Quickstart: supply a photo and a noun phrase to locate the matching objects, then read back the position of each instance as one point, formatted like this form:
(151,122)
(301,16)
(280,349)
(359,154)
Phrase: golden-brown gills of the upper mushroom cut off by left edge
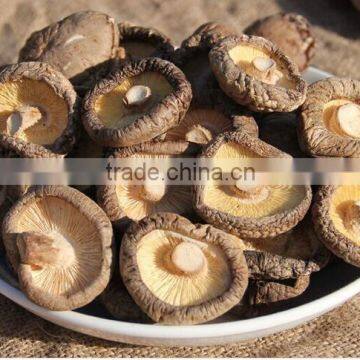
(14,95)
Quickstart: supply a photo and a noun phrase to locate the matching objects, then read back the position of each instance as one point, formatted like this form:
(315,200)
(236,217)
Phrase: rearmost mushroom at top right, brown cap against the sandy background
(291,32)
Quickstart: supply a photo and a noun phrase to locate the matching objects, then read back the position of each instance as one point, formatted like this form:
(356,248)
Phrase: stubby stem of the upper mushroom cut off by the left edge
(22,119)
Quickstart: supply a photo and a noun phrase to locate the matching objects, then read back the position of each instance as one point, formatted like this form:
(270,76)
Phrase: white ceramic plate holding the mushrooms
(329,288)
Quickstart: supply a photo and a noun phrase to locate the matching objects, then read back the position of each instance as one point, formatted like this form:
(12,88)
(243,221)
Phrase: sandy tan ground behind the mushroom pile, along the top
(336,22)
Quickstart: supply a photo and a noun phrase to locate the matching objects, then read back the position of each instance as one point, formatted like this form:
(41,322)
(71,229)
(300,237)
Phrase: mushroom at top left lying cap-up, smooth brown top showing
(77,45)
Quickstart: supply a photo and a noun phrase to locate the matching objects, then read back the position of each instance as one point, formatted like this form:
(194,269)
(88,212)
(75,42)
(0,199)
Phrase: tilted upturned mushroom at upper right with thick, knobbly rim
(256,73)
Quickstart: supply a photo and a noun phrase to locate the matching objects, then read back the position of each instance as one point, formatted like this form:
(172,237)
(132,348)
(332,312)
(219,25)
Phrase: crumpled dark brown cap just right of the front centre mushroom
(298,252)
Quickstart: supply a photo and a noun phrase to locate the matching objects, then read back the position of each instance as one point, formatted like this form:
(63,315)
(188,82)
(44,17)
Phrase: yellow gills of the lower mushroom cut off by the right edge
(344,214)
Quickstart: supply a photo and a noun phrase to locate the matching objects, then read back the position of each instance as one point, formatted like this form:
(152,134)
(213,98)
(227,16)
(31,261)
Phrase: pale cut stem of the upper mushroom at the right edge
(348,119)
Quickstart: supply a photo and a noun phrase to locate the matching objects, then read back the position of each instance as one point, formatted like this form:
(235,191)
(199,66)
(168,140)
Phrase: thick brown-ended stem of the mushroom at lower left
(40,250)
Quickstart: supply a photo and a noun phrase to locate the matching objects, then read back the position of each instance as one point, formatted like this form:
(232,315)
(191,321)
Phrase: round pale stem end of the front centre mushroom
(188,257)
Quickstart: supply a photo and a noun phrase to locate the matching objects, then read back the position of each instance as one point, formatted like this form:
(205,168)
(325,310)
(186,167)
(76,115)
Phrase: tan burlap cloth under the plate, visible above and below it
(337,26)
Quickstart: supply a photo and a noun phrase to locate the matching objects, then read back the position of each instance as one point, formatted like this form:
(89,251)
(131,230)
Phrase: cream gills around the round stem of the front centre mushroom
(174,288)
